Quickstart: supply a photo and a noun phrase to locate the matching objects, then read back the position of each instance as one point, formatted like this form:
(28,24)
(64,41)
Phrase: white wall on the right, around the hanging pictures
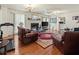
(69,22)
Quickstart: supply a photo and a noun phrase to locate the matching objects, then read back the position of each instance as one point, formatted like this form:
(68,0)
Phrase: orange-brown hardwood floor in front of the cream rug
(35,49)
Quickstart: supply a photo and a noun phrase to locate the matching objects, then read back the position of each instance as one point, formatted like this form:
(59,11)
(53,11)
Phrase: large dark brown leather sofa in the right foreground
(69,45)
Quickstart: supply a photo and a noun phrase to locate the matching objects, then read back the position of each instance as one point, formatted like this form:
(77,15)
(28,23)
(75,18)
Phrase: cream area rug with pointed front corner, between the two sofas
(44,43)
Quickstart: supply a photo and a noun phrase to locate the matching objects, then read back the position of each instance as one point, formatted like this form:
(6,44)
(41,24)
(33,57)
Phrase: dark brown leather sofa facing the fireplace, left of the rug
(26,36)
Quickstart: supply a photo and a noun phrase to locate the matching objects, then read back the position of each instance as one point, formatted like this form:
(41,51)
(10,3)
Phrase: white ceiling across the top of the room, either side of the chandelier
(45,8)
